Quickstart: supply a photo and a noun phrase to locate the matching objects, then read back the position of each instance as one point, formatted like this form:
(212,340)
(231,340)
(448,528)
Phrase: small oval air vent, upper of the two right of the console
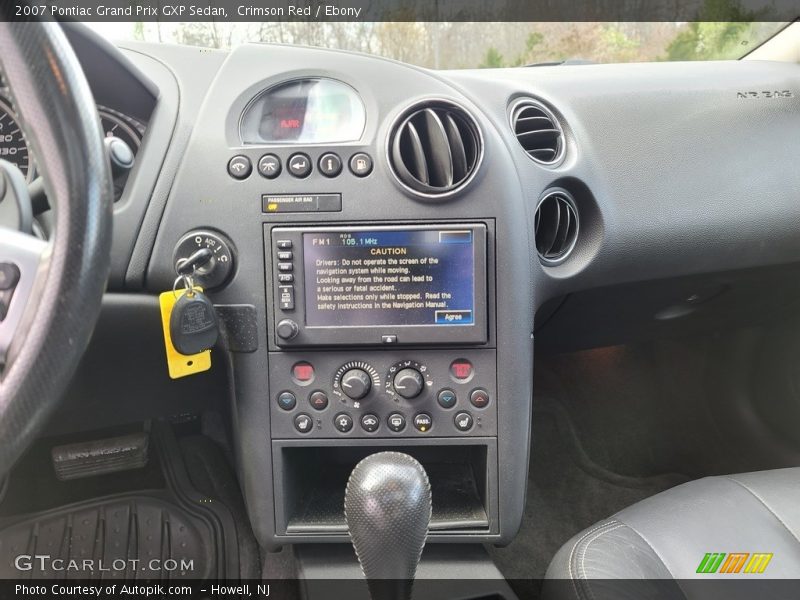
(538,131)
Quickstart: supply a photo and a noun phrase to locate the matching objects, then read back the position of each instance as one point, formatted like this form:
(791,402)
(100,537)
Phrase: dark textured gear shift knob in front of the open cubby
(387,505)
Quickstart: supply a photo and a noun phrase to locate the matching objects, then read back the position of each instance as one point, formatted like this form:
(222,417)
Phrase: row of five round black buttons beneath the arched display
(299,165)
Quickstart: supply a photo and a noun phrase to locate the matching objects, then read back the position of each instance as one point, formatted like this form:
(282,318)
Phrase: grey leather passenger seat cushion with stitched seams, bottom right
(669,535)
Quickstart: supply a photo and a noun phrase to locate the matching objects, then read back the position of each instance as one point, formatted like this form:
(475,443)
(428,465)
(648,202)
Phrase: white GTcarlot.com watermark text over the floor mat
(44,562)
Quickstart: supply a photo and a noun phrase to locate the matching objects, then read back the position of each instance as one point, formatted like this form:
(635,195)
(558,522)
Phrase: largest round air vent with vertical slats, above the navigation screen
(435,149)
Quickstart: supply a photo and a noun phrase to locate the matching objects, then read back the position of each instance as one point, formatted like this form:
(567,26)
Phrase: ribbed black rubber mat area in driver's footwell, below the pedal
(134,537)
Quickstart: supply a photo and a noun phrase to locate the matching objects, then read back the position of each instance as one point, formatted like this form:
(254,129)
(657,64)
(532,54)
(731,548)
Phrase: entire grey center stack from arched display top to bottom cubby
(376,297)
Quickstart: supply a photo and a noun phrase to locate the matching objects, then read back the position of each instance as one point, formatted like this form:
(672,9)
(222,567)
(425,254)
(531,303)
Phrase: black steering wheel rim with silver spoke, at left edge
(53,299)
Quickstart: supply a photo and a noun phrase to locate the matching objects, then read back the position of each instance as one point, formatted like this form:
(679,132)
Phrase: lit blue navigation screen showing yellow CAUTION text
(397,277)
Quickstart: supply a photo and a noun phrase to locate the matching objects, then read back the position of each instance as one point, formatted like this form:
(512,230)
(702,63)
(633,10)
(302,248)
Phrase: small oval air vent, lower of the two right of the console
(556,227)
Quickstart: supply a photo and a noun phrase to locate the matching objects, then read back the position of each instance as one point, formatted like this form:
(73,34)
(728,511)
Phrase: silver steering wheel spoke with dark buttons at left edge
(22,258)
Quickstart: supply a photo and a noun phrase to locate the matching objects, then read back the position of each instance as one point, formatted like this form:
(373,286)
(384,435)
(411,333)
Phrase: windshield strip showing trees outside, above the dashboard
(471,45)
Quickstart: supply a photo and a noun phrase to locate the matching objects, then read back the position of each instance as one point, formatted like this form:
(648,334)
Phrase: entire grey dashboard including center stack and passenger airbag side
(391,243)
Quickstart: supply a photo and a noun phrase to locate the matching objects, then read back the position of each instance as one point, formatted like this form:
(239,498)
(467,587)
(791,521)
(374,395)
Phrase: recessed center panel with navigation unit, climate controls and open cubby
(379,334)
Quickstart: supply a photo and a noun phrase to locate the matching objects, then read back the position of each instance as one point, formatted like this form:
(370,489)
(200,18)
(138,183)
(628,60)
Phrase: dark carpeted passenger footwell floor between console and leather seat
(611,427)
